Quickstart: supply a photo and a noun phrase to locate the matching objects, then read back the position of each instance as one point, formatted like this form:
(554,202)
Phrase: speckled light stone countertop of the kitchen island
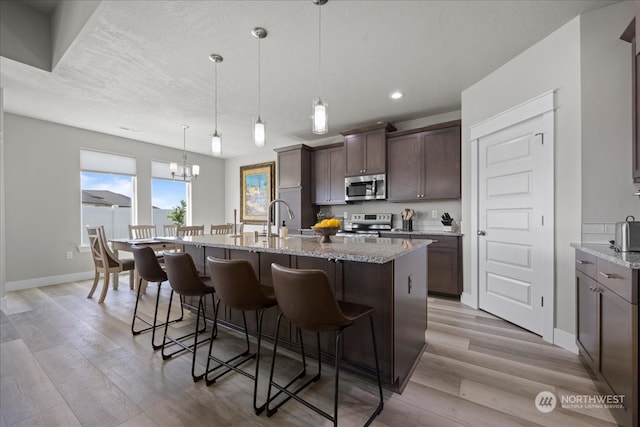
(378,250)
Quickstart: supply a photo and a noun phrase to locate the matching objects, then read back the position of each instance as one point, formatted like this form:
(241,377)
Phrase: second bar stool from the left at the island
(184,280)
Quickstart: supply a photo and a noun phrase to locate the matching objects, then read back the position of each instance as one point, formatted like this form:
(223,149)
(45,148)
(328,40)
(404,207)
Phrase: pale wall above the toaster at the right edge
(607,186)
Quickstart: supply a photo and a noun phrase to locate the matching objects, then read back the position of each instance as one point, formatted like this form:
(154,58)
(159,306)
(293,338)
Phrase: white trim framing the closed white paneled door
(540,105)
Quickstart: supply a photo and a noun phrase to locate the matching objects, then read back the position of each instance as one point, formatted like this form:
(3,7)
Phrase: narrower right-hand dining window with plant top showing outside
(167,194)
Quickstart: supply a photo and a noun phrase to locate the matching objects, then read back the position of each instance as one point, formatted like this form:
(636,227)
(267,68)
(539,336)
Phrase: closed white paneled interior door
(515,222)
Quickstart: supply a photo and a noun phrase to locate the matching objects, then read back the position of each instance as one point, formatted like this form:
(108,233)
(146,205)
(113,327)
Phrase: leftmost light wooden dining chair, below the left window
(106,262)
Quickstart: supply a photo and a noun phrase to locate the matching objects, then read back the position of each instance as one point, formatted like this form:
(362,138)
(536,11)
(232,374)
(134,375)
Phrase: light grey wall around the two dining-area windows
(42,170)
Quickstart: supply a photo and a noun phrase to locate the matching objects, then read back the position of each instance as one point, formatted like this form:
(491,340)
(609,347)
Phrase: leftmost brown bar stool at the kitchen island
(149,269)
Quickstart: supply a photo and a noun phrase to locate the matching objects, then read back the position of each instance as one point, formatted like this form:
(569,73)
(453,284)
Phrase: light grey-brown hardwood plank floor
(67,361)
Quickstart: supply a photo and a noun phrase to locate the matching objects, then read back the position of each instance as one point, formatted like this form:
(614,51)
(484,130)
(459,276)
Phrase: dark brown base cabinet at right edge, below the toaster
(607,329)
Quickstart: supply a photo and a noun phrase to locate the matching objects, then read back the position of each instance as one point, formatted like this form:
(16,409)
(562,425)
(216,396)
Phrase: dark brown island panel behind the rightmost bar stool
(370,284)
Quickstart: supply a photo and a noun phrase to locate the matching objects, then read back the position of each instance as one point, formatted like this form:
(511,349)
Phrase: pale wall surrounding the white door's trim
(551,64)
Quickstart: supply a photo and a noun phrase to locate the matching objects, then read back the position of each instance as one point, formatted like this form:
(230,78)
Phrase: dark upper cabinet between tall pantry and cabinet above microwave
(328,175)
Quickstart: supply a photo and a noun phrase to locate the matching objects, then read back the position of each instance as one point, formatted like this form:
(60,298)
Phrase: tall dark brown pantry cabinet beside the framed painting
(294,187)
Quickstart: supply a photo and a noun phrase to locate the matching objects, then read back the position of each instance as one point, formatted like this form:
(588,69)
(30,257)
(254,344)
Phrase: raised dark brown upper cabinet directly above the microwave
(365,151)
